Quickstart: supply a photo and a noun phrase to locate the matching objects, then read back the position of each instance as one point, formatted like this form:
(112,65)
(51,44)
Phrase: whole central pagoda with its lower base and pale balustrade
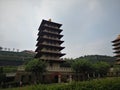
(49,49)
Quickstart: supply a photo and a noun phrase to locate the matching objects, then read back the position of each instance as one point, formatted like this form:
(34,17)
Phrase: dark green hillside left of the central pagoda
(9,58)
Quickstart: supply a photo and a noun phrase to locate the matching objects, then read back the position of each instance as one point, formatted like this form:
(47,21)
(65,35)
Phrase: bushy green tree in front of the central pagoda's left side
(37,67)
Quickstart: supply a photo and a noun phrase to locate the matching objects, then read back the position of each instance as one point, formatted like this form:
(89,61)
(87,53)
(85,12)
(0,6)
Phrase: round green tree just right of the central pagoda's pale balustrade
(82,66)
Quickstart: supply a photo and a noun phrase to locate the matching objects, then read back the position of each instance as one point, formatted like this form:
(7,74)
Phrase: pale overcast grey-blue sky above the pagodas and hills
(89,26)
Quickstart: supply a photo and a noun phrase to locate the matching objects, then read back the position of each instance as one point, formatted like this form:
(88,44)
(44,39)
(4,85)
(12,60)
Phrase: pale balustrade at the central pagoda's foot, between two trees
(60,69)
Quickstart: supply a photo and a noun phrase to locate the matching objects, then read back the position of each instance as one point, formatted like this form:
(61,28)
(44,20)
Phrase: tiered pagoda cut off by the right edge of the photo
(116,44)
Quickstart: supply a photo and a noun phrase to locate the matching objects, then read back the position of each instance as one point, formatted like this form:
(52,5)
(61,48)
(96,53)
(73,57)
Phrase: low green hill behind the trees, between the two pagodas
(91,58)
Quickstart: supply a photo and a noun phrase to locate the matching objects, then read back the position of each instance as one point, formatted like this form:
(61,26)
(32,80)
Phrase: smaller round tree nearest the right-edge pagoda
(101,68)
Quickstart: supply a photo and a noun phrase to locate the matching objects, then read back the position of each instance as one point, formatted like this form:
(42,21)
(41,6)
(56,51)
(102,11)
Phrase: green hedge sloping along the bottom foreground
(97,84)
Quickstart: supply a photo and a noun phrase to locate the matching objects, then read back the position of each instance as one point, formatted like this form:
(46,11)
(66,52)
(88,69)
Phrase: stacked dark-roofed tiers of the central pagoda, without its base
(48,45)
